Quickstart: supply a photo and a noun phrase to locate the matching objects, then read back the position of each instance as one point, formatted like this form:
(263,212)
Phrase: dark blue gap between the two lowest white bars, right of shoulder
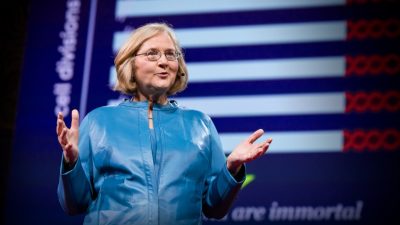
(307,122)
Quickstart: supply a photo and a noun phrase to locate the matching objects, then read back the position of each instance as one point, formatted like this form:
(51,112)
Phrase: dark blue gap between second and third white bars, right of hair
(314,49)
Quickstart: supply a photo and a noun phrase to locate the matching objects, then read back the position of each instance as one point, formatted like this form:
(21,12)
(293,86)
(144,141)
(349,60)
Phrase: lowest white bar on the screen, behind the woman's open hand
(291,142)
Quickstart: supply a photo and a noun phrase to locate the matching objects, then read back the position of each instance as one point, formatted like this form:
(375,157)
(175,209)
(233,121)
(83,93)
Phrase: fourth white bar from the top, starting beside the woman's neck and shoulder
(280,104)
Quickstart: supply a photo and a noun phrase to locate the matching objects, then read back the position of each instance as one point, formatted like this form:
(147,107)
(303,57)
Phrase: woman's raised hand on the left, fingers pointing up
(68,137)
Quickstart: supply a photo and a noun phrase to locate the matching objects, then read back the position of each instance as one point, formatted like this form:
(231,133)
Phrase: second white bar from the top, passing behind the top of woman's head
(253,34)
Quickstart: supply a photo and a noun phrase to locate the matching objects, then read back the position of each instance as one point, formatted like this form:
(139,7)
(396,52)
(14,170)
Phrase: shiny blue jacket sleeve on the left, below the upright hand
(75,186)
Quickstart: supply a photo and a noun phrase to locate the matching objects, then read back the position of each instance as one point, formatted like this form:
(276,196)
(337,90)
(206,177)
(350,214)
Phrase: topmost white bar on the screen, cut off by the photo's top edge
(175,7)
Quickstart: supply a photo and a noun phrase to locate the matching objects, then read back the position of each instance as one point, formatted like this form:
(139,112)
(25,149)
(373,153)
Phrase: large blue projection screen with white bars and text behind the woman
(320,77)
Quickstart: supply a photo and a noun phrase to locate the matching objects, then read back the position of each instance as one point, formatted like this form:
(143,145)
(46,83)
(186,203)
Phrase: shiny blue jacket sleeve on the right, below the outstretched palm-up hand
(221,187)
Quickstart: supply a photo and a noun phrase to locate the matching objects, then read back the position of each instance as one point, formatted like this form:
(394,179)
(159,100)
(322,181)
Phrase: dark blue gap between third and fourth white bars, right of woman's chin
(314,85)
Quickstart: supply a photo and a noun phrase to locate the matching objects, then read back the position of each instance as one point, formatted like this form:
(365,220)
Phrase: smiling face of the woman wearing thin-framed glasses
(155,78)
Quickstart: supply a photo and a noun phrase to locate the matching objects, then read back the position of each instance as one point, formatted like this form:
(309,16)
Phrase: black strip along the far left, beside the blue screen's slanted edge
(14,19)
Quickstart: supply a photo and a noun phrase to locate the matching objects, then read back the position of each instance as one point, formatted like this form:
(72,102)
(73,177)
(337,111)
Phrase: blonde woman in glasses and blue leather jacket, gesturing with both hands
(147,160)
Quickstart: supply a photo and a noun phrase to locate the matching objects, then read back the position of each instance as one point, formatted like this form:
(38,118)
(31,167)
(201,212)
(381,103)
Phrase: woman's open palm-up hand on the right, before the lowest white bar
(247,151)
